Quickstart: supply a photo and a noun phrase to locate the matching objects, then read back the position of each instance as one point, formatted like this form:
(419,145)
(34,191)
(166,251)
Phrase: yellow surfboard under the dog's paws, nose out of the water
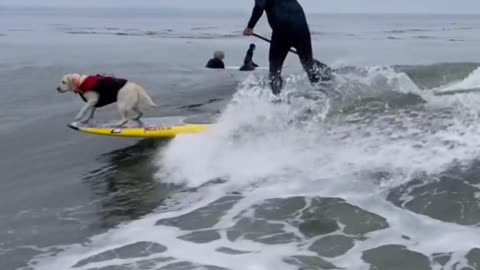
(147,128)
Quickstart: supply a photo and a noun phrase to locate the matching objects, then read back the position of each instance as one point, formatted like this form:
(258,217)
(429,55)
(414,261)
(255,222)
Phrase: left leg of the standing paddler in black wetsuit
(277,54)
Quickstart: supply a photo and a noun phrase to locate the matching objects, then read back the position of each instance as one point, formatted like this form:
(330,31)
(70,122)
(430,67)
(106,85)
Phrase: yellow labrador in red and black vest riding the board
(99,90)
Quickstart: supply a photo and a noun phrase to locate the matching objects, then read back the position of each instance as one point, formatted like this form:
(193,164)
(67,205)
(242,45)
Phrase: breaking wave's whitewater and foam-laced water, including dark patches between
(380,175)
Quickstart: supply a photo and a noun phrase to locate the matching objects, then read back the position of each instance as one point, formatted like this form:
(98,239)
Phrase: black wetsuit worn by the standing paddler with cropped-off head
(289,29)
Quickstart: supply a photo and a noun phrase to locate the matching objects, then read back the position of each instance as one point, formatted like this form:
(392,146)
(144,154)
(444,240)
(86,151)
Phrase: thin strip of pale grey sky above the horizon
(363,6)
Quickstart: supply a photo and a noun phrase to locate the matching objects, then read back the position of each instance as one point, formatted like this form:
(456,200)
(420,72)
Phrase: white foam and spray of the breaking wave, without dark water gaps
(277,150)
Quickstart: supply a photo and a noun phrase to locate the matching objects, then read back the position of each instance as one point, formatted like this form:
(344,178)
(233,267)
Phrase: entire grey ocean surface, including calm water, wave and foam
(381,175)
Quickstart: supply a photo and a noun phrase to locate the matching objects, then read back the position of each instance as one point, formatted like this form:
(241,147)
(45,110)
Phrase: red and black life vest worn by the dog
(106,87)
